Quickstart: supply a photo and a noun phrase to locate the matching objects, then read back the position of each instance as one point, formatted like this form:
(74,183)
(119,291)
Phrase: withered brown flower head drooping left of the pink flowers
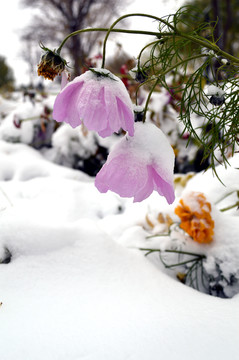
(51,64)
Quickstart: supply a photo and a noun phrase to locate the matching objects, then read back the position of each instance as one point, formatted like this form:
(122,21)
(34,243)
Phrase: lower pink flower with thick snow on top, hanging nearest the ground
(136,166)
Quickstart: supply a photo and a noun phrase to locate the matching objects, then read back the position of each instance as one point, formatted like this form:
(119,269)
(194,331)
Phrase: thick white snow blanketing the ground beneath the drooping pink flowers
(73,282)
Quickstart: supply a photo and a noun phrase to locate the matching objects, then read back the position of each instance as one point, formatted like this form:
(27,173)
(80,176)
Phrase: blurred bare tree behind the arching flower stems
(54,19)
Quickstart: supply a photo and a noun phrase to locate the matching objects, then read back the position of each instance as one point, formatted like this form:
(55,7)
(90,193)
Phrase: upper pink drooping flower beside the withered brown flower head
(98,99)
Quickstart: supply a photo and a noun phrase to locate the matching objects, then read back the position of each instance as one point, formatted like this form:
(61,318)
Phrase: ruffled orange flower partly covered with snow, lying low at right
(196,217)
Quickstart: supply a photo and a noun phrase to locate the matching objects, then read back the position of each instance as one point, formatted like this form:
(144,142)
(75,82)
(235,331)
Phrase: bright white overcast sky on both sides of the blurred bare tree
(13,19)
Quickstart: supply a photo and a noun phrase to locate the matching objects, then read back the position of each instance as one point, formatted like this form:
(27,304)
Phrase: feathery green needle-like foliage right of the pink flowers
(185,60)
